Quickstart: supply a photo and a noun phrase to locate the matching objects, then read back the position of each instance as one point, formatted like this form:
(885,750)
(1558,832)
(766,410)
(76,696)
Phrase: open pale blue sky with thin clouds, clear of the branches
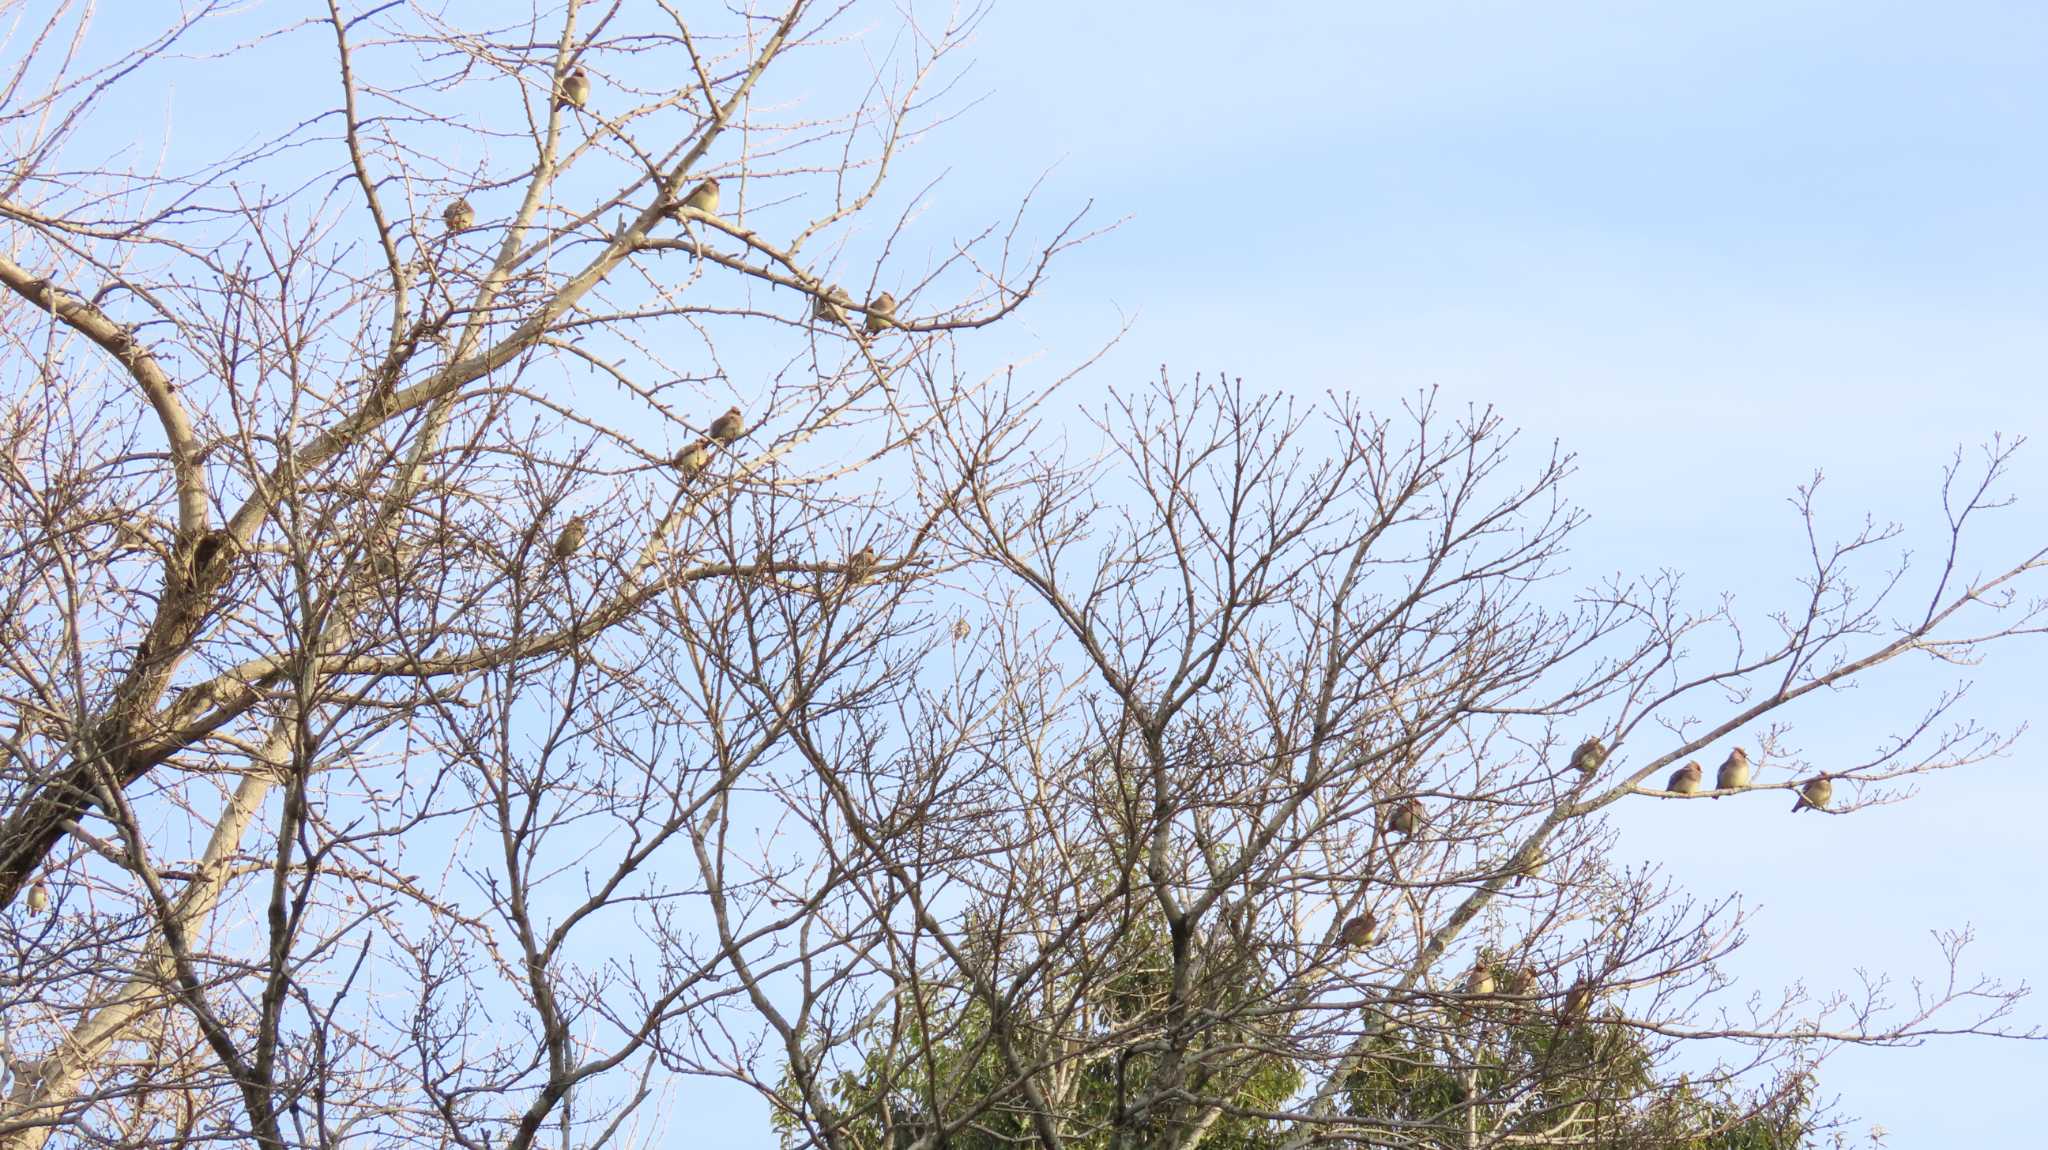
(1709,251)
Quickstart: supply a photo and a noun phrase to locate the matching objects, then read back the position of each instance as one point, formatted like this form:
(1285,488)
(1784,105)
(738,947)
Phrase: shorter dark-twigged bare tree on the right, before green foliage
(1283,807)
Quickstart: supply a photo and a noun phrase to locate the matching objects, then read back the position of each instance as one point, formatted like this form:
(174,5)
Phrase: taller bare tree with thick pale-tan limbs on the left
(368,500)
